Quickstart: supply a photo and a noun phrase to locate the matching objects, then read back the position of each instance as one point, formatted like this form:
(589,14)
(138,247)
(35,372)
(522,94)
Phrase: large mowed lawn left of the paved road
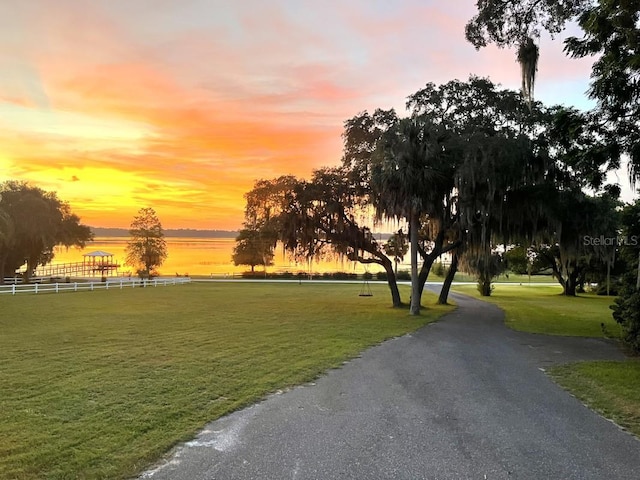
(101,384)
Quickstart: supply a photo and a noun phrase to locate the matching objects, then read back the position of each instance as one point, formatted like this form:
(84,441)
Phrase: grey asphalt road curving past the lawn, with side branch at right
(465,398)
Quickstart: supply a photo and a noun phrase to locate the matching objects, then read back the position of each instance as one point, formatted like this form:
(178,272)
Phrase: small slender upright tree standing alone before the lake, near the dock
(147,248)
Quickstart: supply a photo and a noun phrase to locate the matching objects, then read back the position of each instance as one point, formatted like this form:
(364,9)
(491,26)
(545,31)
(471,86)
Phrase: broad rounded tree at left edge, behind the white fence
(32,223)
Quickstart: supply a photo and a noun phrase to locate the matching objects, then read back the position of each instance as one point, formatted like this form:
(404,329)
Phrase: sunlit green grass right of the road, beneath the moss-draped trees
(543,309)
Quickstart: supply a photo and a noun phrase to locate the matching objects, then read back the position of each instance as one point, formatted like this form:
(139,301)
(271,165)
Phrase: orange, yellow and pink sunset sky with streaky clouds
(182,104)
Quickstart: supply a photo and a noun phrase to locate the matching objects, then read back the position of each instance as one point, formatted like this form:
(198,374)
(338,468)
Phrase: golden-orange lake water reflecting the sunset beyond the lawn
(204,256)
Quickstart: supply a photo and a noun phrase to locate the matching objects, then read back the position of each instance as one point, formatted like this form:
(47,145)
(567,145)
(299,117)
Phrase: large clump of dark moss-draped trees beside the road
(472,167)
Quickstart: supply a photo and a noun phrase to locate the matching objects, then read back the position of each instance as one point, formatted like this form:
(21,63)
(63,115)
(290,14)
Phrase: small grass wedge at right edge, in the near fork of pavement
(610,388)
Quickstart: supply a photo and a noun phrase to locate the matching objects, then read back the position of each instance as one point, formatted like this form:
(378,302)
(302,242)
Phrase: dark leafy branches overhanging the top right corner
(611,33)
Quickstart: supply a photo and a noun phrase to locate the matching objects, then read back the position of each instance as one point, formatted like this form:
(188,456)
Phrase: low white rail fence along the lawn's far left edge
(111,283)
